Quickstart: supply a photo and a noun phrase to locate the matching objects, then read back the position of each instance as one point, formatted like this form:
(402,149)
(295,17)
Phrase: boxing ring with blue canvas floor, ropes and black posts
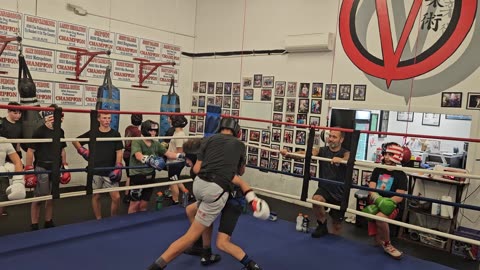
(133,241)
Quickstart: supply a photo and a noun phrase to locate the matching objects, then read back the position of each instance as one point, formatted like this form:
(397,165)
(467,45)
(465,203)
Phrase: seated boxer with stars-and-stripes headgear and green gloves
(385,205)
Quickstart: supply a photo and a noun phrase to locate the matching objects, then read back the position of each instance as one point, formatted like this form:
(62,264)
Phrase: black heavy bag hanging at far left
(31,120)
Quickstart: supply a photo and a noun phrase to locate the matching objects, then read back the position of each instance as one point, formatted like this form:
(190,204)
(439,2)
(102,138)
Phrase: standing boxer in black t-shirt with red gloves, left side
(39,159)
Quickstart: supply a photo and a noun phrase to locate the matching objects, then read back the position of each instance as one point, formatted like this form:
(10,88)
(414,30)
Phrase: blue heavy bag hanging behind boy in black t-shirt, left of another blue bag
(108,98)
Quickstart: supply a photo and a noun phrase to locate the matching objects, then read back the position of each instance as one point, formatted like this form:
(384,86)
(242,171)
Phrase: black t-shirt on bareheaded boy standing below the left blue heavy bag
(106,151)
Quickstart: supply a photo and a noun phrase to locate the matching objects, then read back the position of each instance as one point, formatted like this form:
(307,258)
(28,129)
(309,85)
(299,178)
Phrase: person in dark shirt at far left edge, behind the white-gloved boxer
(11,128)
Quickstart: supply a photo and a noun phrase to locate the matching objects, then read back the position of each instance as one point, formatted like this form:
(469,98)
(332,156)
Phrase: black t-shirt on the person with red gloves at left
(43,151)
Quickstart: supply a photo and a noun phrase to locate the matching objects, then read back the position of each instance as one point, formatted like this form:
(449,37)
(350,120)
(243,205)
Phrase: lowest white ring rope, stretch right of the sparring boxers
(387,220)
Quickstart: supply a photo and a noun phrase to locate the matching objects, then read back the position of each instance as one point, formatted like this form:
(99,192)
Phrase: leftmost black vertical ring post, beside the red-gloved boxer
(57,153)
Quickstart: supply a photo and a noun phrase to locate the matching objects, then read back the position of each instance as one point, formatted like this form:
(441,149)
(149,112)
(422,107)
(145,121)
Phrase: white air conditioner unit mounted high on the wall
(318,42)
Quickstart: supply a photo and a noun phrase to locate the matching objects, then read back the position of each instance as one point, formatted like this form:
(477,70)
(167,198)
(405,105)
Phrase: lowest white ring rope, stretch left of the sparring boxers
(95,191)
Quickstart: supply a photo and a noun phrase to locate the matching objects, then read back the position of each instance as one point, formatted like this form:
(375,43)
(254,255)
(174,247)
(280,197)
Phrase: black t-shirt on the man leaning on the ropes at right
(330,171)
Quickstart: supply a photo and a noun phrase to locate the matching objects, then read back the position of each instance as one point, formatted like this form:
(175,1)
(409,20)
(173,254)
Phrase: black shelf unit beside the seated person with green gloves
(415,216)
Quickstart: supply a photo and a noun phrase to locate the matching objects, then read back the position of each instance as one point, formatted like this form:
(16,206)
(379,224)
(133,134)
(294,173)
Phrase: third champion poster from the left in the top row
(72,35)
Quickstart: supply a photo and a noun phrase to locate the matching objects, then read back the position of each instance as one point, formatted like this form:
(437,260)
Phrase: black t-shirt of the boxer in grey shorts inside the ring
(221,155)
